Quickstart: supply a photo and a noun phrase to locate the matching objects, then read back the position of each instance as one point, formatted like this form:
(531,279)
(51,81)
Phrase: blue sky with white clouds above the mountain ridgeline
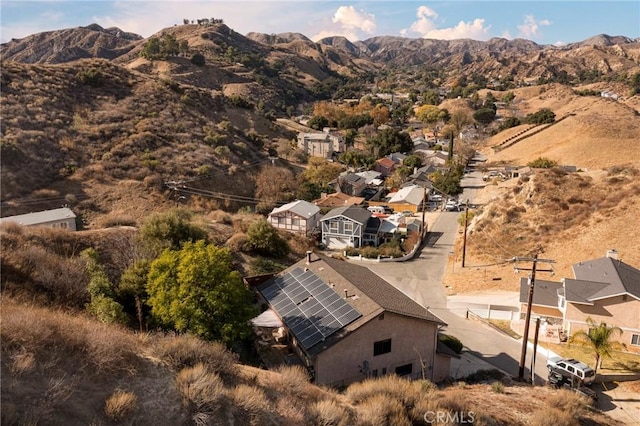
(545,22)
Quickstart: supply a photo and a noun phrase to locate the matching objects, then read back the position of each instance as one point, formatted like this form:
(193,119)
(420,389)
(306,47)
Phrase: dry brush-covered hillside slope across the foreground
(62,368)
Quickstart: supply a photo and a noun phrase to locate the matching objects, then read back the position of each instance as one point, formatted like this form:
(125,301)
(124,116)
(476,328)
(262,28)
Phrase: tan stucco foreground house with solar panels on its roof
(347,324)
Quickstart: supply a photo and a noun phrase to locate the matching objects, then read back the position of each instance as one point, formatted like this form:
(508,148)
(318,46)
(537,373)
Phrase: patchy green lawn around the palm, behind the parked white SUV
(619,362)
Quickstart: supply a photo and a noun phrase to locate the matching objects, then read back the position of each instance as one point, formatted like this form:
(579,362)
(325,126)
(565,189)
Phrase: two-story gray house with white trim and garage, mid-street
(344,227)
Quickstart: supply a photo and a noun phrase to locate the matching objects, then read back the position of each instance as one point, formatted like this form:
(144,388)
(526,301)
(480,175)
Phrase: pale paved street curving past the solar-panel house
(421,279)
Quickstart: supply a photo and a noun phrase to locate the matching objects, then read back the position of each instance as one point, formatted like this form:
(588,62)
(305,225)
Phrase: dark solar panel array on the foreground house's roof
(308,306)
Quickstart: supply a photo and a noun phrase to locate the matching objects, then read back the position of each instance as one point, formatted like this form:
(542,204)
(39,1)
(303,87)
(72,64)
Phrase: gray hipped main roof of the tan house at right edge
(619,277)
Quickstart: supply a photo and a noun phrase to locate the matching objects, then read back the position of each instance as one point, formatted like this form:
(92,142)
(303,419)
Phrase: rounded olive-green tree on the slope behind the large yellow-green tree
(170,230)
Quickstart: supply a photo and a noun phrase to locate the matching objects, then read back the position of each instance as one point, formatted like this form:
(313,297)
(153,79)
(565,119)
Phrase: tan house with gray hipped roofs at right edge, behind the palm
(604,289)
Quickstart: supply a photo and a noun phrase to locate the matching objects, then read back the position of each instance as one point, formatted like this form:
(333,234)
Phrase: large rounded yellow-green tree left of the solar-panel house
(195,290)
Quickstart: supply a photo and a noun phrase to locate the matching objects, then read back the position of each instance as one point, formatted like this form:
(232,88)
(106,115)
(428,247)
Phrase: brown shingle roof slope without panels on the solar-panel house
(379,290)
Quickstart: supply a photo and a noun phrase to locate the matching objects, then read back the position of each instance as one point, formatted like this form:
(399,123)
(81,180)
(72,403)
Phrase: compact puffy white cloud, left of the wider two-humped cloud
(348,22)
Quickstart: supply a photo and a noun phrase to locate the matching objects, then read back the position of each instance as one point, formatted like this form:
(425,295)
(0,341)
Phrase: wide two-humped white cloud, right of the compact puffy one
(427,27)
